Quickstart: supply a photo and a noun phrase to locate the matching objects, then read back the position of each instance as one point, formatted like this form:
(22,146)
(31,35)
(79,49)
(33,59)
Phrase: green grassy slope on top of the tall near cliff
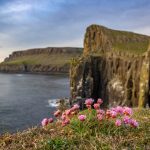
(126,41)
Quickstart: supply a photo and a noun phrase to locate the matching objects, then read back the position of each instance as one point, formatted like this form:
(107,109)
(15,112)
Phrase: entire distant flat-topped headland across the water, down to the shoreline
(40,60)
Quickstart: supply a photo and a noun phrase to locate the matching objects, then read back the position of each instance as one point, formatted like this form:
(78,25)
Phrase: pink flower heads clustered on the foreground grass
(119,115)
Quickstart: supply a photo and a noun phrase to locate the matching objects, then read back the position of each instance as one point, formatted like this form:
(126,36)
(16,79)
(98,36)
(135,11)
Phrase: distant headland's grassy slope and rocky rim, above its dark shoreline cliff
(43,56)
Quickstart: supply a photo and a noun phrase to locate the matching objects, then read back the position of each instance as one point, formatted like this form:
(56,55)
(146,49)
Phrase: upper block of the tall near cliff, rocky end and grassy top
(99,38)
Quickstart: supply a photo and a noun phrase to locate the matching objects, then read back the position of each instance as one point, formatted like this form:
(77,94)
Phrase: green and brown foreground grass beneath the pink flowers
(90,135)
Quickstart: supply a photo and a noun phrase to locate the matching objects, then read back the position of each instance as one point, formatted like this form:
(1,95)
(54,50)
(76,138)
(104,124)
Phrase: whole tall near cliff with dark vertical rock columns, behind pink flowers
(119,76)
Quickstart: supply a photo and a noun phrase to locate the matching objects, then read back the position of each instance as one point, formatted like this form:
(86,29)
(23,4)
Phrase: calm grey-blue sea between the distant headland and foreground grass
(24,99)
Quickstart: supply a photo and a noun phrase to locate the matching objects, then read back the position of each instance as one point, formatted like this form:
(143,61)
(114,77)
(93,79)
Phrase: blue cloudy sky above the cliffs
(46,23)
